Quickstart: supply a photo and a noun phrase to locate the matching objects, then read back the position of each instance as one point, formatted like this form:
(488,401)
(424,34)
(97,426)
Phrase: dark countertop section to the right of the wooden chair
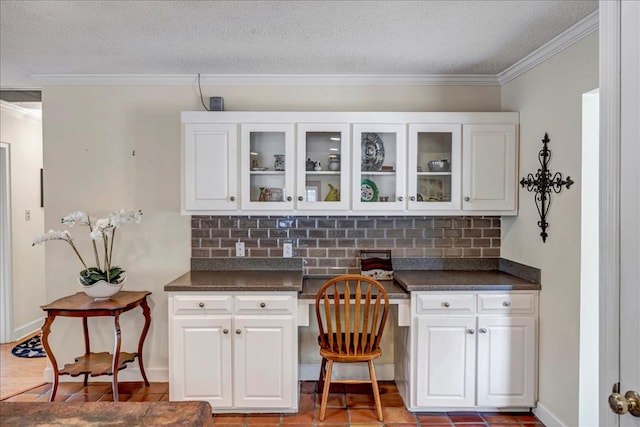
(457,280)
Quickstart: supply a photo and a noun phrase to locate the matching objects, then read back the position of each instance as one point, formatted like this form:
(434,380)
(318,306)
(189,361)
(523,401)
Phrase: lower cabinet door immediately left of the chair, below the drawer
(265,362)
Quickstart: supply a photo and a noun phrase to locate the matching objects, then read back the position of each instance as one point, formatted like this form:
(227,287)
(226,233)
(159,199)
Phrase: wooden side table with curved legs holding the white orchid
(96,364)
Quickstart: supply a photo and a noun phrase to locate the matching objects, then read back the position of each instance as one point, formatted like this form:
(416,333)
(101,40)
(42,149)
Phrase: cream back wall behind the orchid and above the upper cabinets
(90,135)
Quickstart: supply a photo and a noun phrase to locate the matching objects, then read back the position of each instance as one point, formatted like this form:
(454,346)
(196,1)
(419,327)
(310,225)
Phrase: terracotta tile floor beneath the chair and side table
(348,405)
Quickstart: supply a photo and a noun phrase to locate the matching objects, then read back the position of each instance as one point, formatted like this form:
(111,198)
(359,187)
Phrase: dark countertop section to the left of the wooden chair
(237,281)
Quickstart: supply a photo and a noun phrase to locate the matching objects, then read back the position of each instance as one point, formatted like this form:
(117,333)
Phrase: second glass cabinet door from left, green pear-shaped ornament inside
(323,167)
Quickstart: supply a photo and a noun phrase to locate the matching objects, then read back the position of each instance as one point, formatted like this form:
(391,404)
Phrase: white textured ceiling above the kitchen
(275,37)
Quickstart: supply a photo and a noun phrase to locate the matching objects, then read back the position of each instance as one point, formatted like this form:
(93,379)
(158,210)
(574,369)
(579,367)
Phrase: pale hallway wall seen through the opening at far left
(23,132)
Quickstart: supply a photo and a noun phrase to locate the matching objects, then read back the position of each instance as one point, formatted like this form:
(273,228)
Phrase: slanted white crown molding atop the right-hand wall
(580,30)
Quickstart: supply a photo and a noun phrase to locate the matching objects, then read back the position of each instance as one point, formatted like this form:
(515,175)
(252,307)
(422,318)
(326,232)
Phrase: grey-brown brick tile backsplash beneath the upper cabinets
(330,245)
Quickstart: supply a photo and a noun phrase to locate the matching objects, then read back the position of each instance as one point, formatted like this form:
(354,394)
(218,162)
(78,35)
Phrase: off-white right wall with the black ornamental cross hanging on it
(549,99)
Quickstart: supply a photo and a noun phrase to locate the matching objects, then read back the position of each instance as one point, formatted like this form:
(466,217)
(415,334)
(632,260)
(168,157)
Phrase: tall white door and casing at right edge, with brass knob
(620,210)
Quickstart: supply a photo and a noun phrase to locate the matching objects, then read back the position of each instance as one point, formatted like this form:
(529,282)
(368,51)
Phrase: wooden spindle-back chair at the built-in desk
(351,311)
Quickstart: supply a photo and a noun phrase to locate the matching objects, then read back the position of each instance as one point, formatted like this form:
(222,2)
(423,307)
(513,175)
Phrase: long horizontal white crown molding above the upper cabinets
(265,79)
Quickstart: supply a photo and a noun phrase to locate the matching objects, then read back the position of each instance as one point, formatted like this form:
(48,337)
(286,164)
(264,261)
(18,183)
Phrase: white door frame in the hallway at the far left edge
(6,287)
